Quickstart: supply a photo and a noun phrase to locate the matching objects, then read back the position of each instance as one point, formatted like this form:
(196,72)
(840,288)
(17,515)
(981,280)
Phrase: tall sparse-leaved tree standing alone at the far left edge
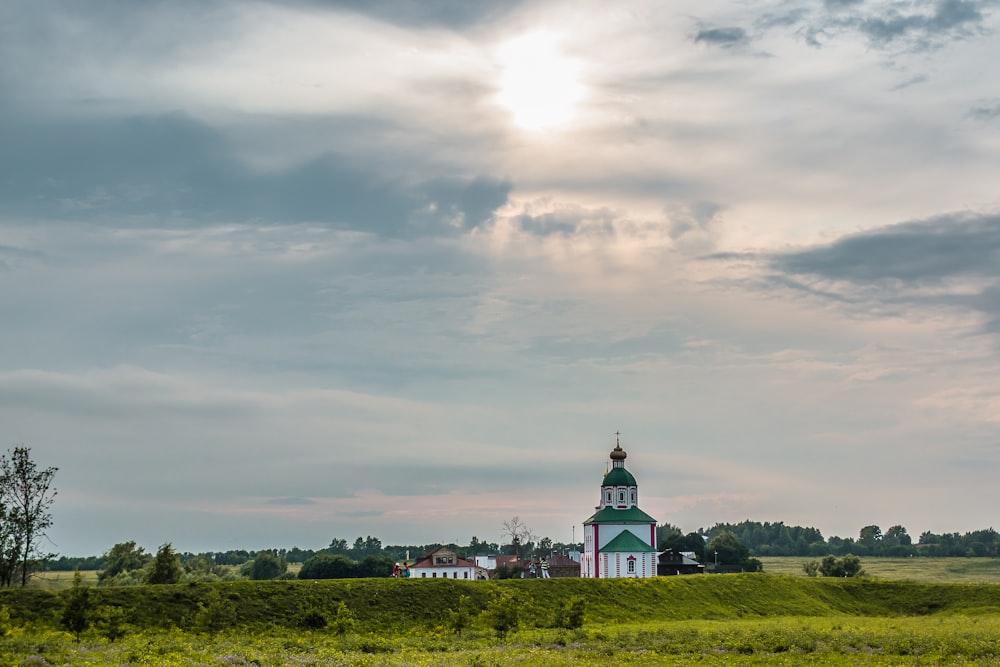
(26,497)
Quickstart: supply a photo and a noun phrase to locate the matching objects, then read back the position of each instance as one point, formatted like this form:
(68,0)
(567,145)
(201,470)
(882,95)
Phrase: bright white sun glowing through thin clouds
(539,86)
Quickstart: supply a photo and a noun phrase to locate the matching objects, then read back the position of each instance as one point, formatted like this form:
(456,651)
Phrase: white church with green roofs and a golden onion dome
(619,540)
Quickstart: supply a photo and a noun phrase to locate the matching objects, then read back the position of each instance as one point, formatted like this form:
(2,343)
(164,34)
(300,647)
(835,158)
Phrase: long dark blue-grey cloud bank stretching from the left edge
(175,166)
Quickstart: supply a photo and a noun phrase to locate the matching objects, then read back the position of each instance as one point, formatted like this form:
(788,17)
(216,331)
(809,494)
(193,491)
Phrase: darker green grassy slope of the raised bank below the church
(390,605)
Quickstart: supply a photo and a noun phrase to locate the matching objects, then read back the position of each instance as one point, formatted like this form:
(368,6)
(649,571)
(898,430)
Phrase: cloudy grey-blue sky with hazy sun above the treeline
(273,273)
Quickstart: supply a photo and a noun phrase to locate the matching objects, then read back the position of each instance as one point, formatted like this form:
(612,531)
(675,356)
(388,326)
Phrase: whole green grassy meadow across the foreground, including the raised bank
(741,619)
